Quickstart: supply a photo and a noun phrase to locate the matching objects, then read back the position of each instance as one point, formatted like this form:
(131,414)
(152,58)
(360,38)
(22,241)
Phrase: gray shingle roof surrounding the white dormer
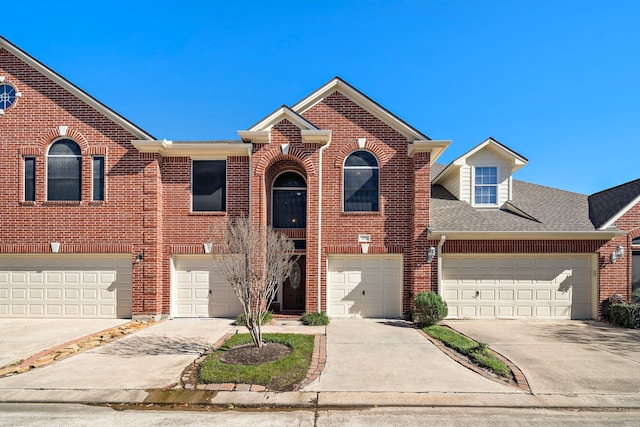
(552,210)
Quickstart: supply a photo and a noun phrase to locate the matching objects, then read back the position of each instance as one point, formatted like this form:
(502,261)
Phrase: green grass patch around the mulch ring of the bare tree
(281,375)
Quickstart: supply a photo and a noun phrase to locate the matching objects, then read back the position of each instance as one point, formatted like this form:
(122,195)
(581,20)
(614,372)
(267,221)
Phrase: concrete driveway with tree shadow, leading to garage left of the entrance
(151,358)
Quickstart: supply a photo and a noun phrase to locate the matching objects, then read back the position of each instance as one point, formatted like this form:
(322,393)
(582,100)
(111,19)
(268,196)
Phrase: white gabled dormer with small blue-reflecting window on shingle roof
(483,176)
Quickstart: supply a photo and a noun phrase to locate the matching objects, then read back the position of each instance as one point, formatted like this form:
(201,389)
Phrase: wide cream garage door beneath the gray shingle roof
(529,287)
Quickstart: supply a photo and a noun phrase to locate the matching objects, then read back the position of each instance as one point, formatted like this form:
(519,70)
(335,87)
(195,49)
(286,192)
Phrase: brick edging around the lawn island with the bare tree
(318,362)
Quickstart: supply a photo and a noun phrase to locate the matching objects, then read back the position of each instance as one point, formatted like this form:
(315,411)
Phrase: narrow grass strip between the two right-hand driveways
(478,353)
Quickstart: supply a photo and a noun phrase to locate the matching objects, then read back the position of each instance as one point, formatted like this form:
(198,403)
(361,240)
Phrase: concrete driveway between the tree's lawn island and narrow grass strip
(376,355)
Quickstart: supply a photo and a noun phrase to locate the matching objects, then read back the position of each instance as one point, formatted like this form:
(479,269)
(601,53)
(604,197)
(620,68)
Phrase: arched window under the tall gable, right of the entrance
(361,182)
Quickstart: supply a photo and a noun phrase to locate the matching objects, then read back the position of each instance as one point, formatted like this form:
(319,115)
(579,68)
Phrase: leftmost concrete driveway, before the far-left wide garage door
(22,338)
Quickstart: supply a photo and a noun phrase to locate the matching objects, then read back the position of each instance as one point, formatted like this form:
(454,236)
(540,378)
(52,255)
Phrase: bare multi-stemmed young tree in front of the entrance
(256,262)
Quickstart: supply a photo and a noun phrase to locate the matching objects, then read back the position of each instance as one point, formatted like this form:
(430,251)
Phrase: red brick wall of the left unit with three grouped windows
(120,224)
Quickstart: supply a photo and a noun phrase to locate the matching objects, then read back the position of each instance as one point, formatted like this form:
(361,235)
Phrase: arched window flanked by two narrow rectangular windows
(64,171)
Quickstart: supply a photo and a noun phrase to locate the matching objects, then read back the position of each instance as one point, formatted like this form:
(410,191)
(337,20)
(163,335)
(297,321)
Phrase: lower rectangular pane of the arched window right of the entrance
(361,190)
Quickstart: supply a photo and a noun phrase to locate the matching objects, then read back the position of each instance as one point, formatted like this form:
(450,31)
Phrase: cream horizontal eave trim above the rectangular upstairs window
(195,150)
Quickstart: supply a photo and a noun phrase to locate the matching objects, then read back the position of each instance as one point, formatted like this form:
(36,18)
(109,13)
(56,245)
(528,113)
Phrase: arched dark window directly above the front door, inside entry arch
(289,201)
